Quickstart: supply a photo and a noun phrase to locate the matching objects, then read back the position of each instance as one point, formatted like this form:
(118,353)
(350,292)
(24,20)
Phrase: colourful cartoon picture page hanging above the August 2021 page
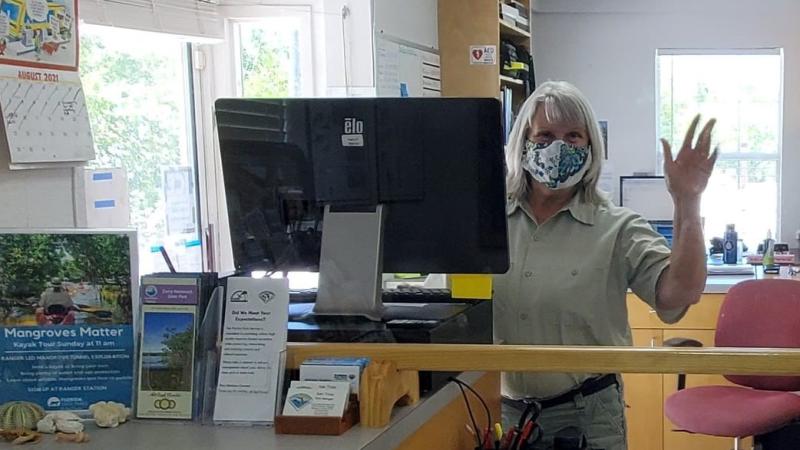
(39,33)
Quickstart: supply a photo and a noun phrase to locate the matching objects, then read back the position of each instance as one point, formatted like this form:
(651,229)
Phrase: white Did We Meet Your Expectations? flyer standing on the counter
(254,336)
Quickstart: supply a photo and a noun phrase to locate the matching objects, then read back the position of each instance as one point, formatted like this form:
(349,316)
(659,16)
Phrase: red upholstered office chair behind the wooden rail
(755,313)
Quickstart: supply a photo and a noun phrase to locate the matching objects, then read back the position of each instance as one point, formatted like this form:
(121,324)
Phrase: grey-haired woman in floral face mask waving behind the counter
(574,256)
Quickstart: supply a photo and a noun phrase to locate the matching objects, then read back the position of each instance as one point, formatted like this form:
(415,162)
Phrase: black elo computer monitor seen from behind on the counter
(423,176)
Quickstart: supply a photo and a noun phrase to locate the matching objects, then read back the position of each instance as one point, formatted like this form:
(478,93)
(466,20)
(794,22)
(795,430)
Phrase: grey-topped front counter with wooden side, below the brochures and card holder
(436,421)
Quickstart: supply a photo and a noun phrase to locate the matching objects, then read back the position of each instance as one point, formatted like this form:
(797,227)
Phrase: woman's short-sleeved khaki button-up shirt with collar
(567,284)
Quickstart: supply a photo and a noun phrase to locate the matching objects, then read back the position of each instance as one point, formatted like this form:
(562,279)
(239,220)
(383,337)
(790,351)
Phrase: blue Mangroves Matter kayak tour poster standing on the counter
(66,317)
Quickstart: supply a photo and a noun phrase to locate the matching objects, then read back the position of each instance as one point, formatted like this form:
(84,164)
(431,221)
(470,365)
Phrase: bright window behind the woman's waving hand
(743,90)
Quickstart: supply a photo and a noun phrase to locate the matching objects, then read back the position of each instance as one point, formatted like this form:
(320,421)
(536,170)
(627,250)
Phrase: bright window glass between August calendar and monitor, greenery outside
(137,94)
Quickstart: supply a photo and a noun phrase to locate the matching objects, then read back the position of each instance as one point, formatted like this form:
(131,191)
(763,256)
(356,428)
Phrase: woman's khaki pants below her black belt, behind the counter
(601,416)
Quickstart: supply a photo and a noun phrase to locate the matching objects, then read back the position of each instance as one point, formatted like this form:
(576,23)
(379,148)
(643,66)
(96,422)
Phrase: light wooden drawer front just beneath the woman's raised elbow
(702,316)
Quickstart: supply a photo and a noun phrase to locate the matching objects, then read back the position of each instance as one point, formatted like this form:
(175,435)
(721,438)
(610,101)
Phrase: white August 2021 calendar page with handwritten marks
(45,117)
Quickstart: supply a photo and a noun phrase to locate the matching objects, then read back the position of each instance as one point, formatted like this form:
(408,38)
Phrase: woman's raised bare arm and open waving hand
(682,283)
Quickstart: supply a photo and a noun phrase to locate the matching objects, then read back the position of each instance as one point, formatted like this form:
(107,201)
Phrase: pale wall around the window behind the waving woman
(607,48)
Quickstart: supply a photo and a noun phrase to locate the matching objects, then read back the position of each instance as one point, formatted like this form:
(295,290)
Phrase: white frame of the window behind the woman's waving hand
(737,157)
